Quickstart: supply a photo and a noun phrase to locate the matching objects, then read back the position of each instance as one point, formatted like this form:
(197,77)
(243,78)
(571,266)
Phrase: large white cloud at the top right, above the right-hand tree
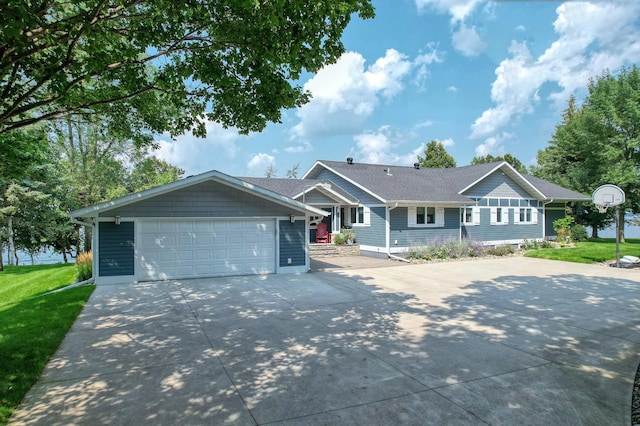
(592,36)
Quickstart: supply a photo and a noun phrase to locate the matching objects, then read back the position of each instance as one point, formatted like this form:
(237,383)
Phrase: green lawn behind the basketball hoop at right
(592,251)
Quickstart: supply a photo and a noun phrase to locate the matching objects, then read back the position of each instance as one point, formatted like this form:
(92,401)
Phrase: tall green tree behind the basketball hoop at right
(599,142)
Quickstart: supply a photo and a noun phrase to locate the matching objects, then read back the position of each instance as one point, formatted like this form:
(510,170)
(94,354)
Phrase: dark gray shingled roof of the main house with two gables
(434,185)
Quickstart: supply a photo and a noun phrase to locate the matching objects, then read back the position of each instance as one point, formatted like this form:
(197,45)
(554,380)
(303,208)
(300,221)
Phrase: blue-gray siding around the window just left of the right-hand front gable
(408,237)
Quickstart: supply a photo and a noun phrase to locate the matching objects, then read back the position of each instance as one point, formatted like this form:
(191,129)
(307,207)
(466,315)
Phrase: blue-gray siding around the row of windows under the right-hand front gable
(512,231)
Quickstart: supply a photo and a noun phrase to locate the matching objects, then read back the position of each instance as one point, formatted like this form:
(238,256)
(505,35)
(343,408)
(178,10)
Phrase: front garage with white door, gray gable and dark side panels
(208,225)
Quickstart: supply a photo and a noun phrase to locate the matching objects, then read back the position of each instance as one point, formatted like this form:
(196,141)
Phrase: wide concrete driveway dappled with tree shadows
(501,341)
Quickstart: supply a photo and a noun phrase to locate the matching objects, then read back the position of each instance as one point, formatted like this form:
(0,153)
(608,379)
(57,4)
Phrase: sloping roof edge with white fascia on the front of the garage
(212,175)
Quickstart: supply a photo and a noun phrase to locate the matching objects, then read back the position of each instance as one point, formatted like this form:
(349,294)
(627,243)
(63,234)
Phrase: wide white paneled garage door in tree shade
(188,248)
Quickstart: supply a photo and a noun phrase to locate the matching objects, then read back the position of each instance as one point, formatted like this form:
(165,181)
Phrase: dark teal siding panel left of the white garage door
(115,248)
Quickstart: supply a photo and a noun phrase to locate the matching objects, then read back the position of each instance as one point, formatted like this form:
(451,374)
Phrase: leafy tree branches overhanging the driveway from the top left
(163,65)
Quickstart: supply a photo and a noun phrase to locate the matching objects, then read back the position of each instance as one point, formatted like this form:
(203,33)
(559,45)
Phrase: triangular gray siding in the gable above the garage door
(207,199)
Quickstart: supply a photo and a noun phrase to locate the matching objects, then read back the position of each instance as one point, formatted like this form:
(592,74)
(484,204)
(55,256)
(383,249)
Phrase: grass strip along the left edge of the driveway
(33,324)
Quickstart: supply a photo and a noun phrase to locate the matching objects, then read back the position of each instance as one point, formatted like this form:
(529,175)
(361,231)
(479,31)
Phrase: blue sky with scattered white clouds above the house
(483,77)
